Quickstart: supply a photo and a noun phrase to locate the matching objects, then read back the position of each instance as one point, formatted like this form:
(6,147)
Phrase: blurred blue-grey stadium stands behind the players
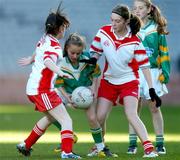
(21,26)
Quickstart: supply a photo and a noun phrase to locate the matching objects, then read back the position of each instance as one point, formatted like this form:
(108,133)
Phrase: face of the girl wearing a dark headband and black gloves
(118,23)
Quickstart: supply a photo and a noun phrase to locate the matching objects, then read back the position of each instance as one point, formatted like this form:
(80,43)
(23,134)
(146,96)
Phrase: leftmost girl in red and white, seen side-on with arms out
(40,87)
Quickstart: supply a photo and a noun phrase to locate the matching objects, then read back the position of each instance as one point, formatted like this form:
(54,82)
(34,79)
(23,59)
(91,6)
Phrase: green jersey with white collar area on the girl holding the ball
(82,74)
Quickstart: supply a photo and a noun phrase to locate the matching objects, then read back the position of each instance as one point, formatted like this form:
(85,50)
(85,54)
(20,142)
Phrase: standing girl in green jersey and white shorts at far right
(152,35)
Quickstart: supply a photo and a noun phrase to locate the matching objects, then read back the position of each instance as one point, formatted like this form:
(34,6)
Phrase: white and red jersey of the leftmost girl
(41,78)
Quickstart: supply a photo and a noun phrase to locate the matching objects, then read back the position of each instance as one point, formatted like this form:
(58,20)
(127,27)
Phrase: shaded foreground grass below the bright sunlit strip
(45,152)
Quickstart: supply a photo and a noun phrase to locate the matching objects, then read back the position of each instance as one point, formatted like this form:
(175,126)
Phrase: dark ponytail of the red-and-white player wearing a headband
(135,24)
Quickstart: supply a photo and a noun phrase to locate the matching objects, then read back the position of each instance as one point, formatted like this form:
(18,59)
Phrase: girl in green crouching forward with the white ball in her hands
(83,74)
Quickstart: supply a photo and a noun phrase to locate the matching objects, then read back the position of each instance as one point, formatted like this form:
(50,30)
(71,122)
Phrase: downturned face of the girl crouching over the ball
(74,52)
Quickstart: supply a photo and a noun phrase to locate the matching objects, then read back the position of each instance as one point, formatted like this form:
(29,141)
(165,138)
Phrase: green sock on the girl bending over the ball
(96,134)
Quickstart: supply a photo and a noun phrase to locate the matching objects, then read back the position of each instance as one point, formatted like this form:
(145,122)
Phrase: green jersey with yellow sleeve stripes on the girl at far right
(156,48)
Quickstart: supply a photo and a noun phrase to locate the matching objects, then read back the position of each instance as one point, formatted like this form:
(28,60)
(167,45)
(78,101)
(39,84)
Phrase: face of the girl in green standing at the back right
(140,9)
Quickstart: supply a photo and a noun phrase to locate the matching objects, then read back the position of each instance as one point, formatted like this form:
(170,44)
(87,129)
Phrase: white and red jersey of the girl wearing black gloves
(123,55)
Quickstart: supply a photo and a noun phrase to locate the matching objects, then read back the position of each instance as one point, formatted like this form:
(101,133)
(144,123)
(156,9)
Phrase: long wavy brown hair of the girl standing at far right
(156,15)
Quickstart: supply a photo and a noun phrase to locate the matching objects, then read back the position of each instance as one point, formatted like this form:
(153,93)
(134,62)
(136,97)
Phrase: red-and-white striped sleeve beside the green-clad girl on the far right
(141,56)
